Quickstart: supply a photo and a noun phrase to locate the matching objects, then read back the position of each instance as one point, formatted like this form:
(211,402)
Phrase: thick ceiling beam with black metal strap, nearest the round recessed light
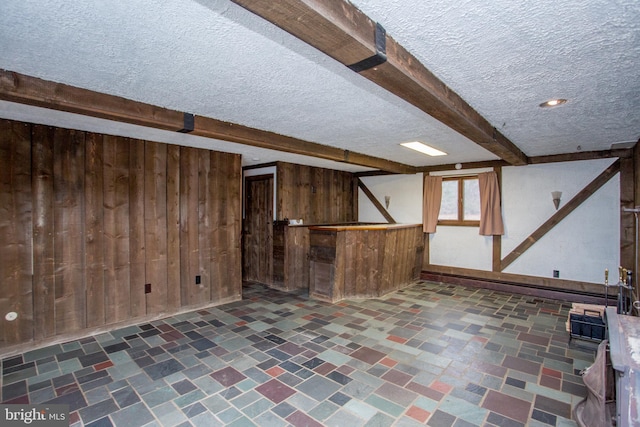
(342,31)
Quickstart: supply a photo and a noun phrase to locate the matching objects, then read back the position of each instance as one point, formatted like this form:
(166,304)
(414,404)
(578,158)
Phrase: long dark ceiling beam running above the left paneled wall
(15,87)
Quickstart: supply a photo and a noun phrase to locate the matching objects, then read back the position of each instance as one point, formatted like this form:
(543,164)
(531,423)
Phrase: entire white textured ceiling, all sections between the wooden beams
(215,59)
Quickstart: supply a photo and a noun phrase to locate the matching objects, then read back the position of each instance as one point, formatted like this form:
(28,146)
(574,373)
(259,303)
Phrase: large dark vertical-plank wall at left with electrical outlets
(87,221)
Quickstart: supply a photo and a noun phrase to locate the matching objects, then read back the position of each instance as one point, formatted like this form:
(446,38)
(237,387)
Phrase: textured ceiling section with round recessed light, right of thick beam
(505,57)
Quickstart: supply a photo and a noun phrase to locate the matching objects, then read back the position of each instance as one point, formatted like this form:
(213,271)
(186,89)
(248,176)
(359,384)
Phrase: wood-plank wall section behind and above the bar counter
(317,195)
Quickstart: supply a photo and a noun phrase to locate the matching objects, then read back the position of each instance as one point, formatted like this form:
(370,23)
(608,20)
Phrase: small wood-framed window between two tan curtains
(460,201)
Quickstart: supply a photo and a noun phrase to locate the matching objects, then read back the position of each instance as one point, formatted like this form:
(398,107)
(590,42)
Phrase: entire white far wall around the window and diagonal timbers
(580,247)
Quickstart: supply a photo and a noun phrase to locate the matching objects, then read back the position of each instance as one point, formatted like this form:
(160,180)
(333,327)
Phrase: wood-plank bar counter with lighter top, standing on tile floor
(363,261)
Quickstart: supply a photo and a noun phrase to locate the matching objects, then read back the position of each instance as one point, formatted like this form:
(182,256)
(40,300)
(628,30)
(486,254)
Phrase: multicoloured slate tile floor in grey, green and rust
(431,354)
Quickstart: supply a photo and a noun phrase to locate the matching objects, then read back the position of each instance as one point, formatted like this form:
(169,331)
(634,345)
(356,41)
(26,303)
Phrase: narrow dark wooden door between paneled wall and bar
(257,252)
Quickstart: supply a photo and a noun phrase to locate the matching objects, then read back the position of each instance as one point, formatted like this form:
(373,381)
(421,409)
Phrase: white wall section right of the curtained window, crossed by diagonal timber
(584,243)
